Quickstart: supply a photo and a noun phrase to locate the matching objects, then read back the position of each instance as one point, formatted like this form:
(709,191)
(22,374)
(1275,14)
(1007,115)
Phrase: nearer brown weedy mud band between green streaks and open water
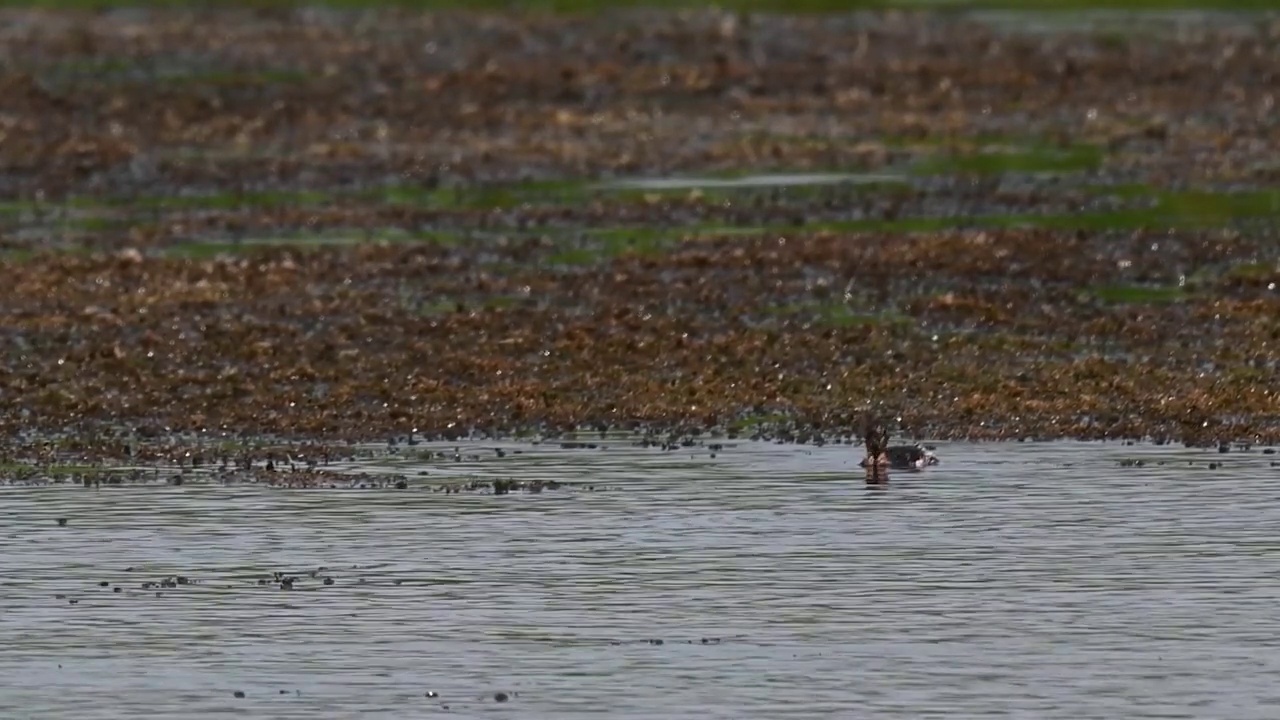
(1089,336)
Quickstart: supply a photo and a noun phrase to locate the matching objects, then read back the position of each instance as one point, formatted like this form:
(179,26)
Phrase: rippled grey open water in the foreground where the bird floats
(1014,581)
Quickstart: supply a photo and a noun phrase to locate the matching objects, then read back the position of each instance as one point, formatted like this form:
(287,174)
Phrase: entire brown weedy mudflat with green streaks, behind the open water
(326,227)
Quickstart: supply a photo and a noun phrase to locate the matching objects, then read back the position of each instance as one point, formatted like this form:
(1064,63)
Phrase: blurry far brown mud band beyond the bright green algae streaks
(135,102)
